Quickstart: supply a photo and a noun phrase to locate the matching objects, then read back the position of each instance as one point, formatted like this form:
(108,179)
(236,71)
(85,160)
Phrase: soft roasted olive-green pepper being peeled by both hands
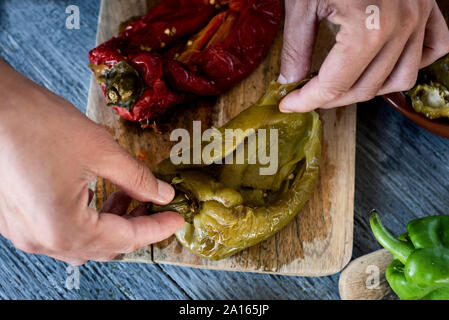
(229,207)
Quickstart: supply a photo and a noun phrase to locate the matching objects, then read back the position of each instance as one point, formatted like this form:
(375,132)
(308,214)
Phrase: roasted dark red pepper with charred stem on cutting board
(182,49)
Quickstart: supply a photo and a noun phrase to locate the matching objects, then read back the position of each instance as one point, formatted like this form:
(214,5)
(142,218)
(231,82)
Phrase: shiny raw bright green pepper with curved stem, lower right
(420,270)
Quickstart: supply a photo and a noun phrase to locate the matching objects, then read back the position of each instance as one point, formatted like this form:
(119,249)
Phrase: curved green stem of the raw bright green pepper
(400,249)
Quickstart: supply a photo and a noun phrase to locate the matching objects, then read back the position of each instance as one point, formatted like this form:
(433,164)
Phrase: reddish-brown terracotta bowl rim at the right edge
(401,103)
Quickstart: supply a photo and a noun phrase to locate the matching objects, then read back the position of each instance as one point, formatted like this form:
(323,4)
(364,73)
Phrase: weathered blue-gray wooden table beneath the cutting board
(401,170)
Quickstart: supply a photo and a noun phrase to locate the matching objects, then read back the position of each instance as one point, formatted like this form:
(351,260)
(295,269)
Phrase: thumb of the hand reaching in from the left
(113,163)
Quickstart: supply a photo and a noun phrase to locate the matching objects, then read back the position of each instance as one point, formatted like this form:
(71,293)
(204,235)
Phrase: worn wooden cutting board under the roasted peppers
(319,240)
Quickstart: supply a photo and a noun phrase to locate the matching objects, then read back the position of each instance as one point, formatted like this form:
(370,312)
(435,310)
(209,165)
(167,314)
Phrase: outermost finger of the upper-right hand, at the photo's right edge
(436,42)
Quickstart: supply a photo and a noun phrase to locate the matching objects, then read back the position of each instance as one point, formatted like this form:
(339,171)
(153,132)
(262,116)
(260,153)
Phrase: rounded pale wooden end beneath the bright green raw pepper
(364,278)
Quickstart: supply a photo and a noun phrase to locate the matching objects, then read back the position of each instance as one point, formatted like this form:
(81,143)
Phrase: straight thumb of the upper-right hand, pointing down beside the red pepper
(301,25)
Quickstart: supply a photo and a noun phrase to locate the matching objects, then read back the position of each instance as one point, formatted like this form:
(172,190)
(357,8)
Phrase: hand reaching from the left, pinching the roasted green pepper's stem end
(49,152)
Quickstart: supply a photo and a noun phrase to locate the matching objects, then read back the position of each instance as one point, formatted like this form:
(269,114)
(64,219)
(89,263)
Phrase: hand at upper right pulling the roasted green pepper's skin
(364,62)
